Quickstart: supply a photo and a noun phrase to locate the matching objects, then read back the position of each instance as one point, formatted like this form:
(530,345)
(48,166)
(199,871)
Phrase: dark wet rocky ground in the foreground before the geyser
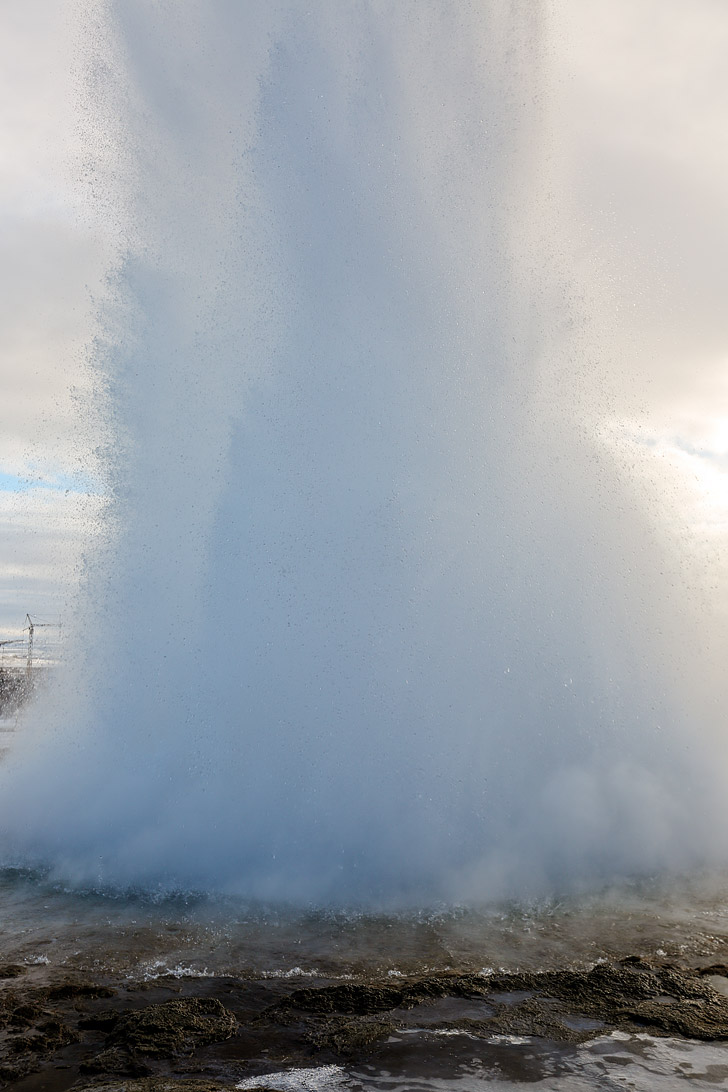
(216,1031)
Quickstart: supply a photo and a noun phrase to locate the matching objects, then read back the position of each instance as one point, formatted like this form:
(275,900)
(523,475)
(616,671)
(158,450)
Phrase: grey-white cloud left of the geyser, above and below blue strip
(54,262)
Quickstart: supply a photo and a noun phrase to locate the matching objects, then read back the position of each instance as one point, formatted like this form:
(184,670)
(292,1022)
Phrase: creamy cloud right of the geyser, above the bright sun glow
(645,99)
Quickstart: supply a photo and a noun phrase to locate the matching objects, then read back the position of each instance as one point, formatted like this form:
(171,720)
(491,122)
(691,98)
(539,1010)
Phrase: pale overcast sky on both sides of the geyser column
(642,94)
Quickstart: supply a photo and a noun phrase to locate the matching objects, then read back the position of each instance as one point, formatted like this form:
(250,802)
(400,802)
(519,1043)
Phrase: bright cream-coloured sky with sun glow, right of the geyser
(643,98)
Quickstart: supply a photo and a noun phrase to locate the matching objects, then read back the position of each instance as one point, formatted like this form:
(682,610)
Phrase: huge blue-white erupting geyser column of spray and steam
(380,618)
